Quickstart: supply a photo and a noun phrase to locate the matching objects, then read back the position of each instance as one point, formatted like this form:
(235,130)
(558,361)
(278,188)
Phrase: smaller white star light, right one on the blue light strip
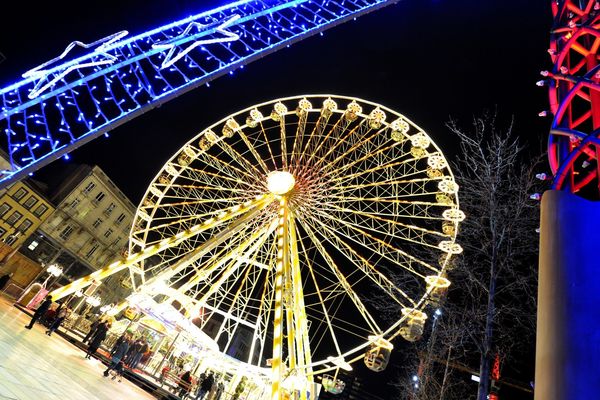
(203,31)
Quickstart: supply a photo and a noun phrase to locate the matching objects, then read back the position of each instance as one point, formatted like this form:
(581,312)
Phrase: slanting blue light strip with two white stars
(63,104)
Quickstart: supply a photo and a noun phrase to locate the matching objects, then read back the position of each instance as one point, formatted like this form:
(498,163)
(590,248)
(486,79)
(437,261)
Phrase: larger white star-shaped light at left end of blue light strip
(41,72)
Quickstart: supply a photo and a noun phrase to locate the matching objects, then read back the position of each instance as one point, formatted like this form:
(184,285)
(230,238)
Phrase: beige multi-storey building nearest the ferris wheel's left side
(88,230)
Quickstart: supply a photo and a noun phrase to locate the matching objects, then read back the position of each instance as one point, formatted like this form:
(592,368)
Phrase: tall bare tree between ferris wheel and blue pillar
(491,306)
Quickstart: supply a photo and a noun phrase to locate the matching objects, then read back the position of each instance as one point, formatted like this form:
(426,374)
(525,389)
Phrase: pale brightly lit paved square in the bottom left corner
(34,366)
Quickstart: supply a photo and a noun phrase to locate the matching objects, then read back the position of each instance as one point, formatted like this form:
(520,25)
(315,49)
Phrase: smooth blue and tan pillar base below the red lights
(568,324)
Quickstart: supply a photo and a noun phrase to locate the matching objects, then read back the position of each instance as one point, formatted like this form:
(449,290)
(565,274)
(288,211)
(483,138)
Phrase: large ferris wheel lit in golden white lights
(285,221)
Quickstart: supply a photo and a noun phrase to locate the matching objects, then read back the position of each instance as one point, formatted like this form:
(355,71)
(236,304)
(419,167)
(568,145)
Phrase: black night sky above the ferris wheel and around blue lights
(427,59)
